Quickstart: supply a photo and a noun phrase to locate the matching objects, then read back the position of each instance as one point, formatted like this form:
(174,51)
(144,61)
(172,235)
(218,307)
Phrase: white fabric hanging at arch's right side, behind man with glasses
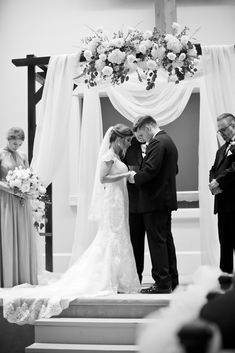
(217,94)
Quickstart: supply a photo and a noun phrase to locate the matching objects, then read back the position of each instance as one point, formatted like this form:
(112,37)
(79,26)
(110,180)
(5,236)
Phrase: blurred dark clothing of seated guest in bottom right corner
(221,311)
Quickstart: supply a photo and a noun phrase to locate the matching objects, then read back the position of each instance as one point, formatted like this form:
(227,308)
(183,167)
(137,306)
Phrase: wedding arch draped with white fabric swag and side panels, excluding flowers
(61,112)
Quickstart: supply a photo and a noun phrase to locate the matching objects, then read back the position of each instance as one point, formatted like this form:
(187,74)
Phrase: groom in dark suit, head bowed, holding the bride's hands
(157,198)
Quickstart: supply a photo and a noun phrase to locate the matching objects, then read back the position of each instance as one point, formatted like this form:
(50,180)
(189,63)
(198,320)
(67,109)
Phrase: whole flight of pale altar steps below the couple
(107,324)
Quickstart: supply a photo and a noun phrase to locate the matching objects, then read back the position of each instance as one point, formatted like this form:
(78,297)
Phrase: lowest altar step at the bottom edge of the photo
(80,348)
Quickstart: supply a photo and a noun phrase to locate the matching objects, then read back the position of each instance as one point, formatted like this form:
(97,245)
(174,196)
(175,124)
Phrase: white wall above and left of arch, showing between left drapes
(48,27)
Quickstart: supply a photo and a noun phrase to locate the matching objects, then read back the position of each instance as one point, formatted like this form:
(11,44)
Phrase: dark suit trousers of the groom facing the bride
(162,248)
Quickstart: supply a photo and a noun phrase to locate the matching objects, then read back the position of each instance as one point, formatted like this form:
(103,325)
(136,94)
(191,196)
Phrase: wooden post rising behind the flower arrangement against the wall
(165,14)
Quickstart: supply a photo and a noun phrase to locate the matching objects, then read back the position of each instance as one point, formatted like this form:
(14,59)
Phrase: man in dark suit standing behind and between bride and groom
(134,159)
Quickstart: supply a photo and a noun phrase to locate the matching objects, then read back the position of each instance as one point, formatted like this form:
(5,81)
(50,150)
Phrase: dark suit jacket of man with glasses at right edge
(223,170)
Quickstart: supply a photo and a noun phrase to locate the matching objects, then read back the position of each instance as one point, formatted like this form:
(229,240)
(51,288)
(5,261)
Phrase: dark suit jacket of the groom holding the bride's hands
(157,177)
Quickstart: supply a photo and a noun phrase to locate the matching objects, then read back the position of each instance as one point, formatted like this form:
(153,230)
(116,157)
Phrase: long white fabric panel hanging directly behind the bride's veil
(91,137)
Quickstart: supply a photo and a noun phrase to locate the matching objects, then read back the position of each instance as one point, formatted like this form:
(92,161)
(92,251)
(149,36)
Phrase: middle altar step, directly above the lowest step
(87,331)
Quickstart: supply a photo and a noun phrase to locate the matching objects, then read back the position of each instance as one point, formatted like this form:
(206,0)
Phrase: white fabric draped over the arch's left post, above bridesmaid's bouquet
(53,120)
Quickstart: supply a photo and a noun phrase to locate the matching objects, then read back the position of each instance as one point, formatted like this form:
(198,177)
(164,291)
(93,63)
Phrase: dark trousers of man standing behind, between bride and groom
(137,232)
